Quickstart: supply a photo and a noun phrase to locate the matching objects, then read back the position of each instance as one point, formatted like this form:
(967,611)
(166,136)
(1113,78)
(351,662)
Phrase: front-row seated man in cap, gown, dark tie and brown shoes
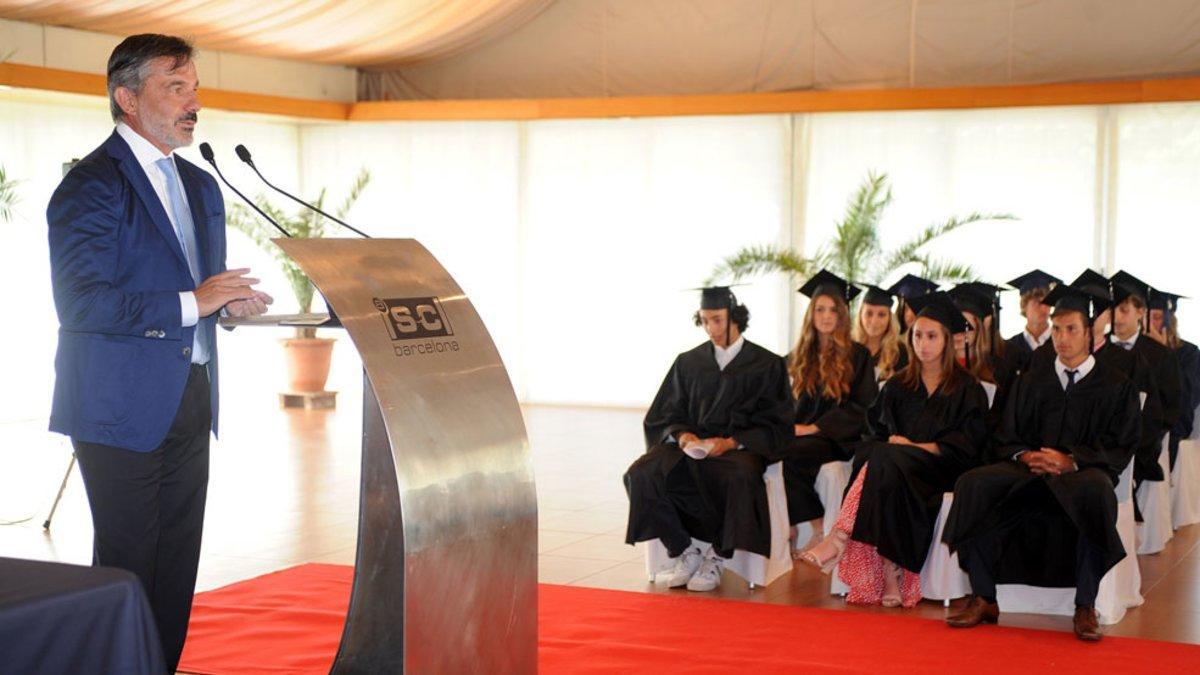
(1046,515)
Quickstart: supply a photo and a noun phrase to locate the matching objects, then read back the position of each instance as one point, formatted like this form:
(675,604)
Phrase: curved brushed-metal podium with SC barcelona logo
(446,578)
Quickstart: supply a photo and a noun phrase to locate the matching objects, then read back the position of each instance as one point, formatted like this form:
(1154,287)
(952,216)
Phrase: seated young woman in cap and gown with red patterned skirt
(927,428)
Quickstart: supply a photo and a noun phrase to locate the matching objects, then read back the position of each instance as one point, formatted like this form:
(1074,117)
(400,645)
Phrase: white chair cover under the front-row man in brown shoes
(1120,589)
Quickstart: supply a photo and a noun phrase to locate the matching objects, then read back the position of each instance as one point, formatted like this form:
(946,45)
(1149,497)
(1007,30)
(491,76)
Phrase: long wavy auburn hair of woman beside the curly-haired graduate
(826,375)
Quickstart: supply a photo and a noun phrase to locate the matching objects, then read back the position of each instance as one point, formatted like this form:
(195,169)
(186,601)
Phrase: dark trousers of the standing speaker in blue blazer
(148,511)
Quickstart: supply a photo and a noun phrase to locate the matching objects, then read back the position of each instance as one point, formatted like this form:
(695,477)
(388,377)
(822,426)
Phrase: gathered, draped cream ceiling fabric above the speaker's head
(353,33)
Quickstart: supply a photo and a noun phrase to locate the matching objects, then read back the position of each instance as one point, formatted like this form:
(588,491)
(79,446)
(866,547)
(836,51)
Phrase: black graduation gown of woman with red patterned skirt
(904,485)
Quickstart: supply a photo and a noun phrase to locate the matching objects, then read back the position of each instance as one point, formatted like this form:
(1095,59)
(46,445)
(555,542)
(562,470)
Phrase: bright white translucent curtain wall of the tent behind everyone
(578,240)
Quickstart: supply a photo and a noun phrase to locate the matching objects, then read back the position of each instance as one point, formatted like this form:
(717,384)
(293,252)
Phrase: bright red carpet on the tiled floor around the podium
(291,622)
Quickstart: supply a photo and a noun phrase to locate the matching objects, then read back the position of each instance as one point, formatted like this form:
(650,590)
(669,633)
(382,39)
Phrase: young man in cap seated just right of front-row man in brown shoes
(1130,319)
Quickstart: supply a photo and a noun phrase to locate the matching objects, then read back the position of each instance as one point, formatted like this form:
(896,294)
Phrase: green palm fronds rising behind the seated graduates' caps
(855,253)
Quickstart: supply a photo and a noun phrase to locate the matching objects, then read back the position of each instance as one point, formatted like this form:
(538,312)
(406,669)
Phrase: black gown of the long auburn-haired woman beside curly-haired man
(841,426)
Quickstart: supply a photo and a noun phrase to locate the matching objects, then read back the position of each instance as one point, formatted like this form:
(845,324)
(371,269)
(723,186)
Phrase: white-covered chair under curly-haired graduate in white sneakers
(757,570)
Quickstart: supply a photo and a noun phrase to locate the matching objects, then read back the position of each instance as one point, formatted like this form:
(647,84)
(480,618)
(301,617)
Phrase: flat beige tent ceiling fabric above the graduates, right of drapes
(680,47)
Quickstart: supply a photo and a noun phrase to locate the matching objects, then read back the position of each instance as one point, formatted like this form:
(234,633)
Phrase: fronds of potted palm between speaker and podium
(303,224)
